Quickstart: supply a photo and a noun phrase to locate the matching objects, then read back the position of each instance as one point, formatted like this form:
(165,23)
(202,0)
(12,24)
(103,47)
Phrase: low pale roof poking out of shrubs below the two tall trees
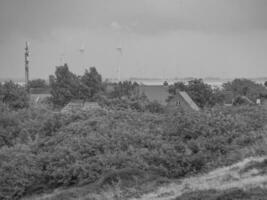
(80,105)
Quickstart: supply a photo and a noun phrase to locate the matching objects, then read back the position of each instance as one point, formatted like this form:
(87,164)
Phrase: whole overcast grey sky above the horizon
(158,38)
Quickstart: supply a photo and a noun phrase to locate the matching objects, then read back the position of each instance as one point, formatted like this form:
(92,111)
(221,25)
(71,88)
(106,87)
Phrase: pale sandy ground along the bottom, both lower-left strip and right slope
(223,178)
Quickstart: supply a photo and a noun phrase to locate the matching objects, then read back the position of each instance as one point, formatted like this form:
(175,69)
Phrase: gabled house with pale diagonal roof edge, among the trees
(182,100)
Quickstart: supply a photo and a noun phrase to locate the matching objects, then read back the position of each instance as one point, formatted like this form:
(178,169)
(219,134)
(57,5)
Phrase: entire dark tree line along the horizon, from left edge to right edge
(65,86)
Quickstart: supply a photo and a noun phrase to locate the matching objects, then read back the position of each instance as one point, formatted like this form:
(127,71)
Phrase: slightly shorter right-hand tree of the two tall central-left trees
(91,83)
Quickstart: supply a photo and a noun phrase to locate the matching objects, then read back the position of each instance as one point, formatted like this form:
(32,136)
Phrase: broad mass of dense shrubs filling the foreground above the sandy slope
(49,150)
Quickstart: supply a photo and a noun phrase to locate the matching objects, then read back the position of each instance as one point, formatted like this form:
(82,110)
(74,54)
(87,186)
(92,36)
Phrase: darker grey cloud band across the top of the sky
(37,17)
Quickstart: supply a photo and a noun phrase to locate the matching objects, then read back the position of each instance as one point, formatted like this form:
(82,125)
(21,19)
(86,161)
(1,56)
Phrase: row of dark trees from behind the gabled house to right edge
(206,96)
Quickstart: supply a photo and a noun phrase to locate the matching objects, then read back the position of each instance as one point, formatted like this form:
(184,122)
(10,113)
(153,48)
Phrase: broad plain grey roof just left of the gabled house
(157,93)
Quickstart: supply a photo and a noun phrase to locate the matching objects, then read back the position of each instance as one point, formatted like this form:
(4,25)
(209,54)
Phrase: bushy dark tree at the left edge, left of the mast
(14,95)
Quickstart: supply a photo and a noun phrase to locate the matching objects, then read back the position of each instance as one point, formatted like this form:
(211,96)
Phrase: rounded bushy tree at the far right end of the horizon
(245,87)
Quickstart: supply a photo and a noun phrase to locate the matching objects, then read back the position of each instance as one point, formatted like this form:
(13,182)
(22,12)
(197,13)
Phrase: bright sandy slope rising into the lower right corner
(219,179)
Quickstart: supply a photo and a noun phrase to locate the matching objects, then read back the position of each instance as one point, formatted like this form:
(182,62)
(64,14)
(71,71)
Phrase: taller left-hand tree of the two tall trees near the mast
(64,86)
